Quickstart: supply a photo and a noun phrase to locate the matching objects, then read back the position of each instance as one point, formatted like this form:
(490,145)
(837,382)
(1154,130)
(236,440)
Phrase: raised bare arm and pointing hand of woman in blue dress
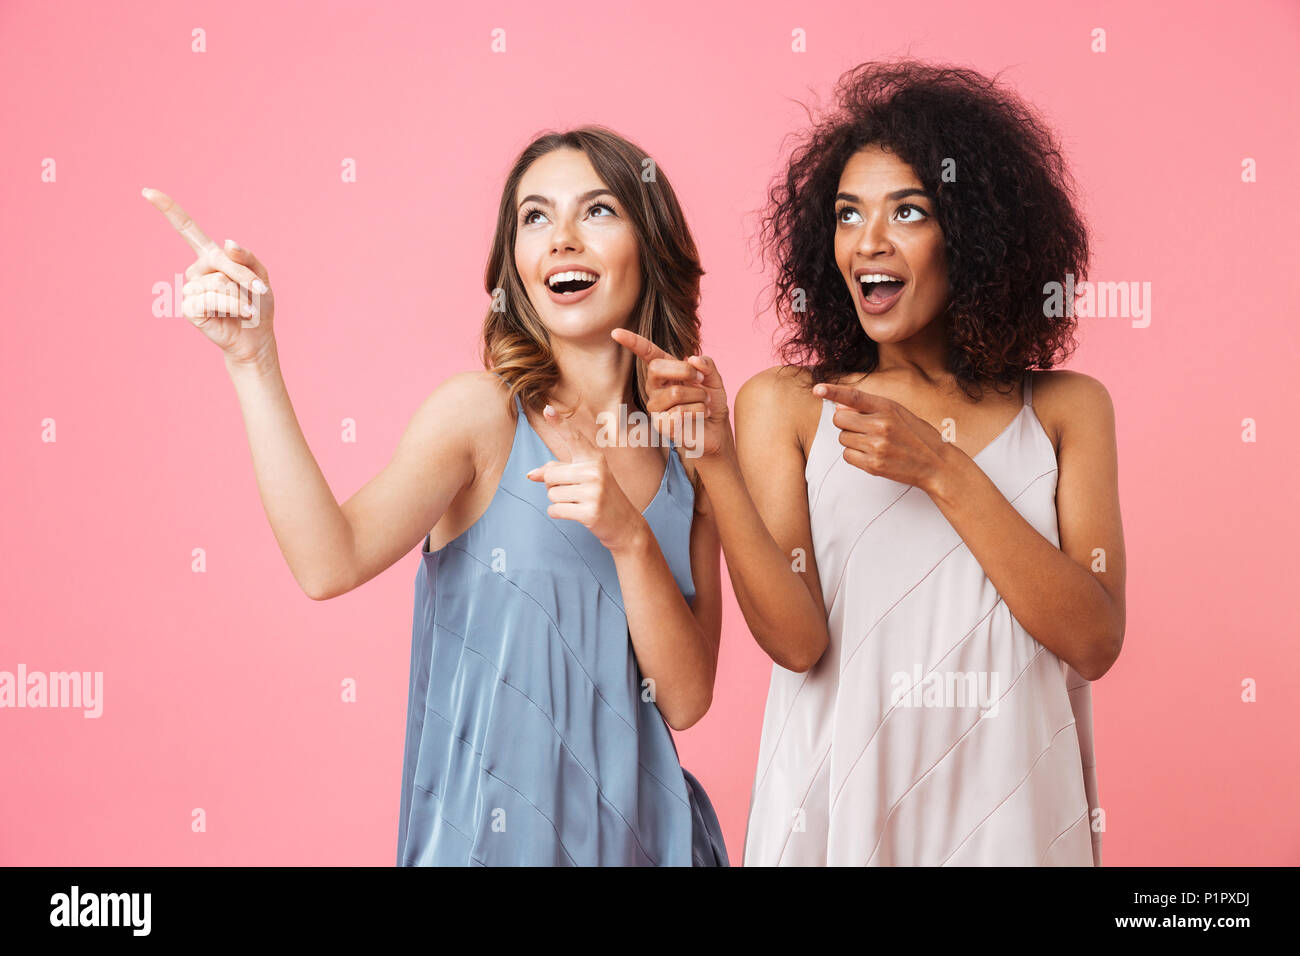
(330,550)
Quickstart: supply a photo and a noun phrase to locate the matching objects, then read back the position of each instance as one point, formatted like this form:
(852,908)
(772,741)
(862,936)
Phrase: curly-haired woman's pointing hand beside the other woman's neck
(682,388)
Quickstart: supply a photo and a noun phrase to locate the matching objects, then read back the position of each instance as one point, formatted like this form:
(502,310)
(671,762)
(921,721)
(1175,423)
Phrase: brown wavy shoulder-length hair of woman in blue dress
(515,343)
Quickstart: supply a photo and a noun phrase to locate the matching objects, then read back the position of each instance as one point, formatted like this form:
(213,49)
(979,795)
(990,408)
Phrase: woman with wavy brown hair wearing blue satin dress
(567,603)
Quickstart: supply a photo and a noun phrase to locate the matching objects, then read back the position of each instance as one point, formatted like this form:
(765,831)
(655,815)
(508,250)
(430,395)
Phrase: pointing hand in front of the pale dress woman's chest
(885,439)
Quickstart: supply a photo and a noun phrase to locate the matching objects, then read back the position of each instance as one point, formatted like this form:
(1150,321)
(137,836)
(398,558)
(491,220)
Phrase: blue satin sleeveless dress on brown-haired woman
(530,741)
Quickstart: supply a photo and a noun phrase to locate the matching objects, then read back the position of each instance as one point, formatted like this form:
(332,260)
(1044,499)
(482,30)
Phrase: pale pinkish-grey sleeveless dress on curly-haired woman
(935,730)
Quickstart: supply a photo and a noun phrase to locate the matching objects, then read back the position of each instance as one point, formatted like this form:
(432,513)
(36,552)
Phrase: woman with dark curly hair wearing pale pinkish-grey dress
(922,533)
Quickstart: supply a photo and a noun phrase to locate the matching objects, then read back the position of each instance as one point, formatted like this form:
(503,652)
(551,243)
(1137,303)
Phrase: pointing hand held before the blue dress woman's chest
(586,491)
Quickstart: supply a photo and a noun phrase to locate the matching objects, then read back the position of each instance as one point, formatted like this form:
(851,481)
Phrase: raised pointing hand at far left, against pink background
(228,292)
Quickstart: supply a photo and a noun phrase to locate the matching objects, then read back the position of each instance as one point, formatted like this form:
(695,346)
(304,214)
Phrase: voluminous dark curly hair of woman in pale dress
(1009,220)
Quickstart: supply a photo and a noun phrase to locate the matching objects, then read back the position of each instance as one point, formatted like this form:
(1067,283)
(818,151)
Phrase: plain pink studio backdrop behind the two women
(223,689)
